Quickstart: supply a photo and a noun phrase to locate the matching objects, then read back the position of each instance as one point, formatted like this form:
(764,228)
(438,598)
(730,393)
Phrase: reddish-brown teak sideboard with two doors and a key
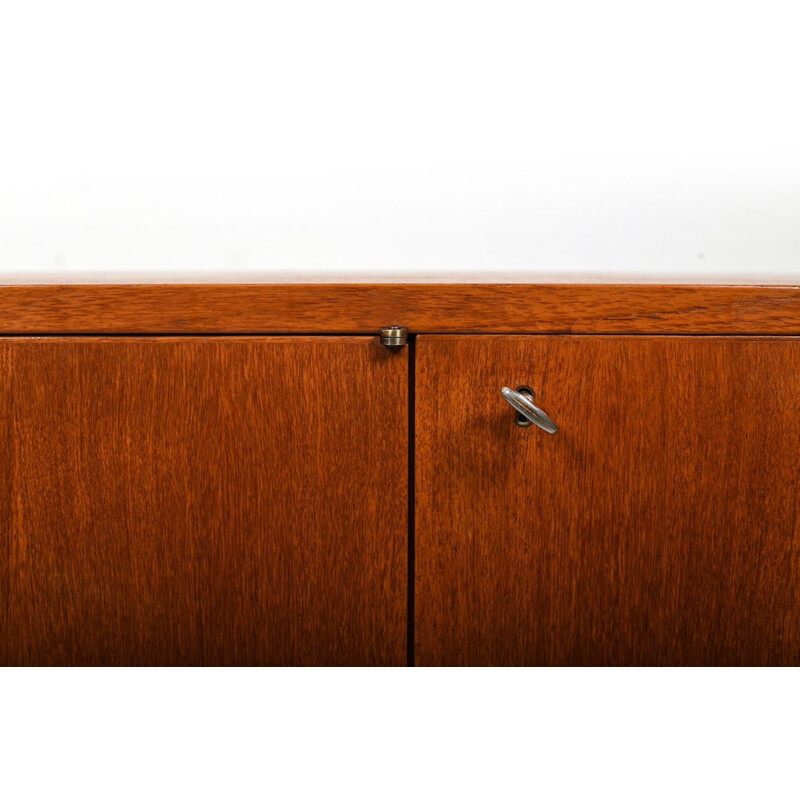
(274,475)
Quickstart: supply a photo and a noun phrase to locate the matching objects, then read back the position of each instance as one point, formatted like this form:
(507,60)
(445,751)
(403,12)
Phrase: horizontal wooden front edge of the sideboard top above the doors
(422,308)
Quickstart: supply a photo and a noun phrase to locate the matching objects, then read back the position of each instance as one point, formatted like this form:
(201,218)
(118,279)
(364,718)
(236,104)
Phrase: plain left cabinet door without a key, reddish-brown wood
(203,501)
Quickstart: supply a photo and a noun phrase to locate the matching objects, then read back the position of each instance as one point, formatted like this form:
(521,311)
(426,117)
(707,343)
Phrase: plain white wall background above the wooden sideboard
(193,141)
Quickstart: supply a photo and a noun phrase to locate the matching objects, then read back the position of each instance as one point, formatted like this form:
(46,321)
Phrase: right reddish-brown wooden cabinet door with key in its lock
(660,525)
